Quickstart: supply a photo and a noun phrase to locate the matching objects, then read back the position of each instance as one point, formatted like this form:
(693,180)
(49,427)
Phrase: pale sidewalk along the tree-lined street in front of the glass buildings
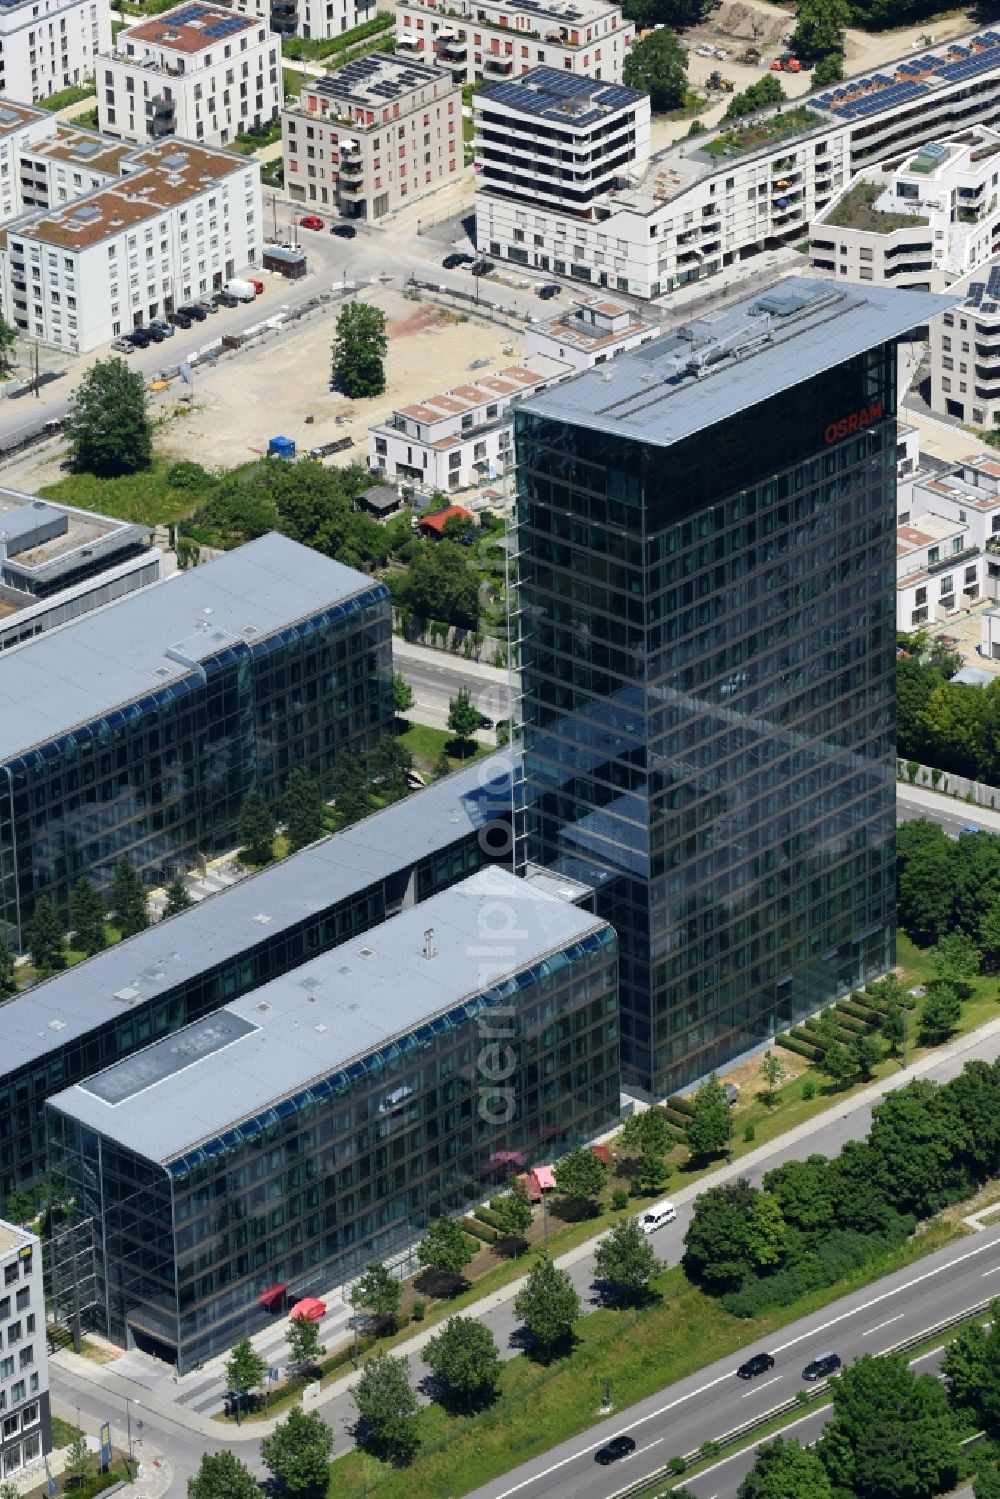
(253,1432)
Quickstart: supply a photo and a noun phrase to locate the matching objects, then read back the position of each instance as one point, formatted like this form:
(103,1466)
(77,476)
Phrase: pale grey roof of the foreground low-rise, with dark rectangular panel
(326,1016)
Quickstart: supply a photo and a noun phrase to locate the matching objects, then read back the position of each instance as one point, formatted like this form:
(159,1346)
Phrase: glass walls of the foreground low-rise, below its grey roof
(355,1165)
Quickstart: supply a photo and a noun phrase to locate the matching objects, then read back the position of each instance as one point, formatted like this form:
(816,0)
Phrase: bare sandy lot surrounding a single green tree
(272,390)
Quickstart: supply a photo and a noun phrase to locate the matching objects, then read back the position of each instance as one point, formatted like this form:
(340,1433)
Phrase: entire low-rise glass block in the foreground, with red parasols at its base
(272,1150)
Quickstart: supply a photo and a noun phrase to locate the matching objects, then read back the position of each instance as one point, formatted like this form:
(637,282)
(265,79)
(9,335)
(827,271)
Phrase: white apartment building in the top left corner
(49,46)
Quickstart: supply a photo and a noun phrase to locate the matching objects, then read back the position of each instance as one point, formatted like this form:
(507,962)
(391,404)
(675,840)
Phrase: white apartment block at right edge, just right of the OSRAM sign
(966,352)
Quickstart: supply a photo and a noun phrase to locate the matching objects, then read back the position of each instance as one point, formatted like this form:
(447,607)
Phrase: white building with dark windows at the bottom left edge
(26,1425)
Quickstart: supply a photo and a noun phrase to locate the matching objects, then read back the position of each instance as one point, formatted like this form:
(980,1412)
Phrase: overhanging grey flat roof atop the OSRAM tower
(707,371)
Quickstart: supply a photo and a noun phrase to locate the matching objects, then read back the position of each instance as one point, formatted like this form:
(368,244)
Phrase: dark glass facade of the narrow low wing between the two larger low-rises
(23,1091)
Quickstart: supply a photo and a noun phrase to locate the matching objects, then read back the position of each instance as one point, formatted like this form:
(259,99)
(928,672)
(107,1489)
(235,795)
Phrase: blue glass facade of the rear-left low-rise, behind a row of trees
(164,777)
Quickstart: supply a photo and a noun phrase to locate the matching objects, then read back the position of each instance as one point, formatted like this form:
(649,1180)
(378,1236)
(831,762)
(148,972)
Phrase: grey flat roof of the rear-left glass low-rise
(136,645)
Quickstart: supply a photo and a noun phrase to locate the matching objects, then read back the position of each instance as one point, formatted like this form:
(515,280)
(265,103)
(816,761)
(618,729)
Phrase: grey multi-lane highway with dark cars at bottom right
(714,1401)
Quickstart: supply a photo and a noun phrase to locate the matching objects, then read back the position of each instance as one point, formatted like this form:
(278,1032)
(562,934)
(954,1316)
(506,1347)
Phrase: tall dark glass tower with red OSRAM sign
(707,537)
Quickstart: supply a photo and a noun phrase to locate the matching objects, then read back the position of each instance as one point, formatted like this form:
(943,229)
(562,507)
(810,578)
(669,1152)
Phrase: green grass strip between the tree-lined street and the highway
(639,1353)
